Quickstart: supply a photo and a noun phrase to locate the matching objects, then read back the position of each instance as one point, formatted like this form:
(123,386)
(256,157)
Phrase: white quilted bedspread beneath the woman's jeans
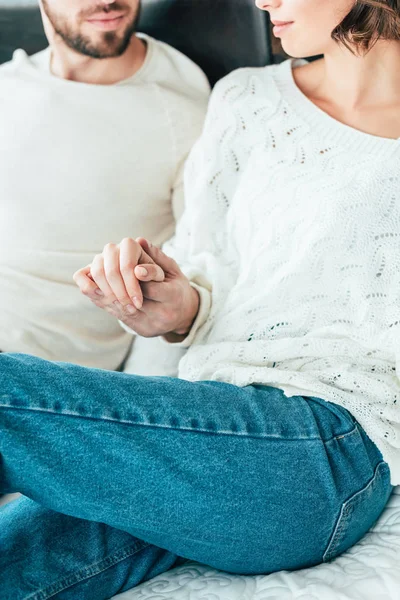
(369,571)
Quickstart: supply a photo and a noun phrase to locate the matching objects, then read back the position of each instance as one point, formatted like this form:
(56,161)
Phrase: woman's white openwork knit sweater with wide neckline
(292,235)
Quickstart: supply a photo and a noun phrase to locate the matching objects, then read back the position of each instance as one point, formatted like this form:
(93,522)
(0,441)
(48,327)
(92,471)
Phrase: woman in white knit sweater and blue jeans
(279,445)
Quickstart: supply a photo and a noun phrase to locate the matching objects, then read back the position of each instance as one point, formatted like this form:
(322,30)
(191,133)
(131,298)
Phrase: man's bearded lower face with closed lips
(99,29)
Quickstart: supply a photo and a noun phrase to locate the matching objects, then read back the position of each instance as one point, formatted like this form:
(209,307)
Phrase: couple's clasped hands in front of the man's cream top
(141,286)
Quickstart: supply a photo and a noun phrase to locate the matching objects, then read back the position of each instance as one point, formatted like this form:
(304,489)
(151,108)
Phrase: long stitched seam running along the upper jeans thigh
(160,426)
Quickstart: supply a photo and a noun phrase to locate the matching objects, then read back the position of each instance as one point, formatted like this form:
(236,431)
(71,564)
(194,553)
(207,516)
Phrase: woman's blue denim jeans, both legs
(124,477)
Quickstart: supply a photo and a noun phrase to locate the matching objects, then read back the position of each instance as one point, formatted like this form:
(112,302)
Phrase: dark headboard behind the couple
(219,35)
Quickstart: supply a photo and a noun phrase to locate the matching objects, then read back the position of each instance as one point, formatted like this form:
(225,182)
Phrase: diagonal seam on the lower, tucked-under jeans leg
(87,572)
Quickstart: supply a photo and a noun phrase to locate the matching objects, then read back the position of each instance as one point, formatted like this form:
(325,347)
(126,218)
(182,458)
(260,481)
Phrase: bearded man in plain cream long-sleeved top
(95,131)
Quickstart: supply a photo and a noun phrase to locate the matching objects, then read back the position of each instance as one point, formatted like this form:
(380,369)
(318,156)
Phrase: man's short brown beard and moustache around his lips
(111,44)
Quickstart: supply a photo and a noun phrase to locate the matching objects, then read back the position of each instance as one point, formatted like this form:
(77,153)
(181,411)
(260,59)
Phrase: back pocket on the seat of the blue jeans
(359,513)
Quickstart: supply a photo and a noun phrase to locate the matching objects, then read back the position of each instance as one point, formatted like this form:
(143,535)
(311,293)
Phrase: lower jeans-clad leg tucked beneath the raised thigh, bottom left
(67,558)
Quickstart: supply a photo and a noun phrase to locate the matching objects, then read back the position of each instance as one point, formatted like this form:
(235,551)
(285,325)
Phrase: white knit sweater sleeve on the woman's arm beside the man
(201,245)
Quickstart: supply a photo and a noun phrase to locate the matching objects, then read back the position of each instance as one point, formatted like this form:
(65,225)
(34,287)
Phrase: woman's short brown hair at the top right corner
(367,22)
